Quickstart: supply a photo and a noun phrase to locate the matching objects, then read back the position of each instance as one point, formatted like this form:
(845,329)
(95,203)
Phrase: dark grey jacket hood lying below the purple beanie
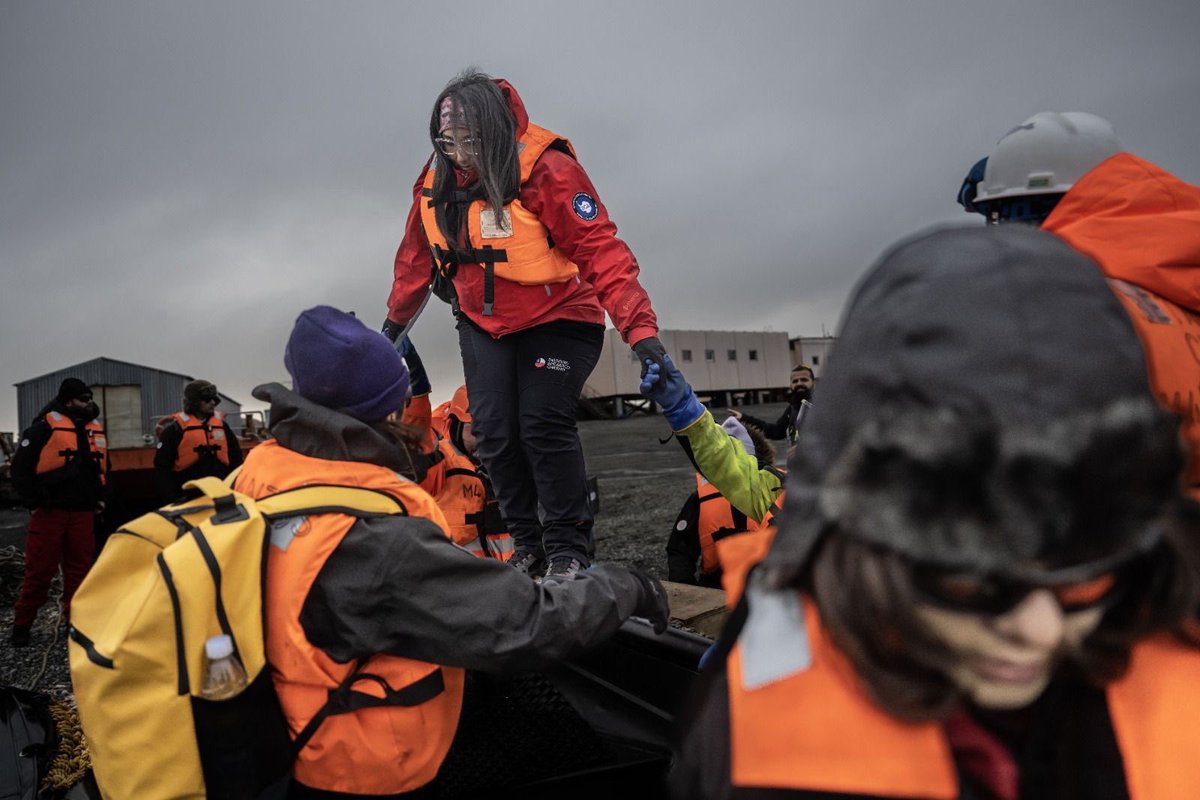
(320,432)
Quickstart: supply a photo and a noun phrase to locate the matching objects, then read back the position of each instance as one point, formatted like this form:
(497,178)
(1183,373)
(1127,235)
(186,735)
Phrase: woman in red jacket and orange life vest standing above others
(511,228)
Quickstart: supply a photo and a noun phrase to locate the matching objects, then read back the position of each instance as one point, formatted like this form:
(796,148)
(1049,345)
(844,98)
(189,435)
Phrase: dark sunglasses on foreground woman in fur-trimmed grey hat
(995,596)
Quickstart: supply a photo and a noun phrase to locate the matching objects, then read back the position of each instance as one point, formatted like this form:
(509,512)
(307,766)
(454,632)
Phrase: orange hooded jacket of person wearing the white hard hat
(1143,226)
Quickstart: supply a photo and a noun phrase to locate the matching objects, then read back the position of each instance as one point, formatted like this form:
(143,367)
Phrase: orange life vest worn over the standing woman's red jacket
(517,249)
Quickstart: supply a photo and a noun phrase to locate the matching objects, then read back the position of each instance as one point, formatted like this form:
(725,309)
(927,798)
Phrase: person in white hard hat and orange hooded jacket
(1070,175)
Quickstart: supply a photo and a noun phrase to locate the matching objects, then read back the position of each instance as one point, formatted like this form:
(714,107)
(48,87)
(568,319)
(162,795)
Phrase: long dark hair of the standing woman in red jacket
(491,121)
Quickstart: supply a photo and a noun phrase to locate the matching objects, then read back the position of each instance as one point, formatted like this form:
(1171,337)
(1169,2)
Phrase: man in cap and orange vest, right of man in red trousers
(196,443)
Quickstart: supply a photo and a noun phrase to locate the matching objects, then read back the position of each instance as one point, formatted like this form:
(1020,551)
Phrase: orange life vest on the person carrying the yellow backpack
(383,750)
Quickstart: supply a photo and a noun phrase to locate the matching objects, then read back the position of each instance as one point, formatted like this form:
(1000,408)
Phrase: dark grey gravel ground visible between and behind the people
(643,485)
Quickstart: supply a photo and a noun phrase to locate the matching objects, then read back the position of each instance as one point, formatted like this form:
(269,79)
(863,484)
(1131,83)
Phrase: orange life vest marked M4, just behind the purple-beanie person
(461,494)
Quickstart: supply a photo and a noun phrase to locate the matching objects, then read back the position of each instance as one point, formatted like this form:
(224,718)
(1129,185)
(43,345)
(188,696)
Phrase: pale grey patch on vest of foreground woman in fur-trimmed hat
(775,641)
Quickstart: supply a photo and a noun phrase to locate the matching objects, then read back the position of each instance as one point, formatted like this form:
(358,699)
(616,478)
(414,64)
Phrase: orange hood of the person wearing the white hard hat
(1139,222)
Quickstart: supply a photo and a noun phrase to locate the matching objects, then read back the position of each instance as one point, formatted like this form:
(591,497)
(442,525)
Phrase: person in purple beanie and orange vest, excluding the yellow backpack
(357,605)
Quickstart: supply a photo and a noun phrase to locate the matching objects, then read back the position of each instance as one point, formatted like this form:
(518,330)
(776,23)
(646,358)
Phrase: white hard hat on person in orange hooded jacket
(1046,155)
